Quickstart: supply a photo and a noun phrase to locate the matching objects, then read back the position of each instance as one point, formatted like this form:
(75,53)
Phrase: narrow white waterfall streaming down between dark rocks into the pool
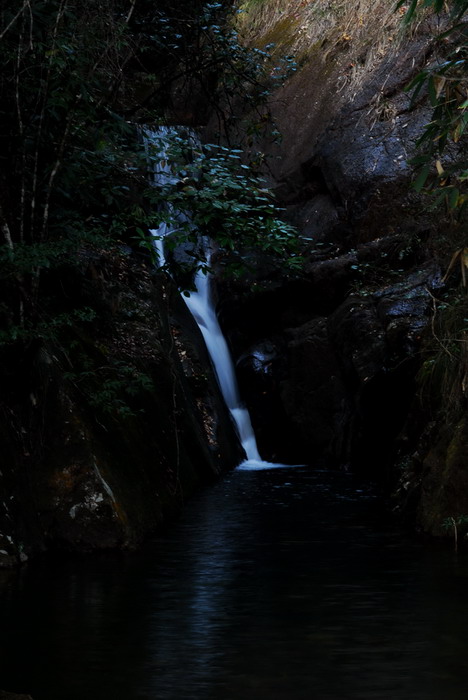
(200,304)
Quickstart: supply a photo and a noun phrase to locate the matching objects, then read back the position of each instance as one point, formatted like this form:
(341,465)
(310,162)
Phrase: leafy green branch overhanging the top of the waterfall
(221,197)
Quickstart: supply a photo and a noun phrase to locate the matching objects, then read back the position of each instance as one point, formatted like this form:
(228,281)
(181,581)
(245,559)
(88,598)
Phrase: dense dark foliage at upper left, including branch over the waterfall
(77,78)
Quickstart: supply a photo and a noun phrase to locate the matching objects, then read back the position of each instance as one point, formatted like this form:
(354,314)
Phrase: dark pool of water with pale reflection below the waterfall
(279,585)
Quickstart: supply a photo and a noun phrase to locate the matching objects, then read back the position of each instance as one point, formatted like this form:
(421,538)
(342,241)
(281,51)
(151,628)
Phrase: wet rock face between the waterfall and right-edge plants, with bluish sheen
(347,333)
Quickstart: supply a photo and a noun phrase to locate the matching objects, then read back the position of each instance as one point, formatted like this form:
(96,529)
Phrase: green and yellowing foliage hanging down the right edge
(442,172)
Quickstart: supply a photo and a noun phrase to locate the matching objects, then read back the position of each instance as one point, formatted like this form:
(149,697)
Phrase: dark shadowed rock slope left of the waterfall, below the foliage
(96,457)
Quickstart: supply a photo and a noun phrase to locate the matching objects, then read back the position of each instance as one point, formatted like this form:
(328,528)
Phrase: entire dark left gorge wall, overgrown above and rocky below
(110,415)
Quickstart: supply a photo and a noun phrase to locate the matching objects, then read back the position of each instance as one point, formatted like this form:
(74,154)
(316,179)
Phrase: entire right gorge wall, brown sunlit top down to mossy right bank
(330,360)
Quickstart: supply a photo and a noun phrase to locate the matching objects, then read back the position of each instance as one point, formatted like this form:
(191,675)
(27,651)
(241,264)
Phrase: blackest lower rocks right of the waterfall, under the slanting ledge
(336,389)
